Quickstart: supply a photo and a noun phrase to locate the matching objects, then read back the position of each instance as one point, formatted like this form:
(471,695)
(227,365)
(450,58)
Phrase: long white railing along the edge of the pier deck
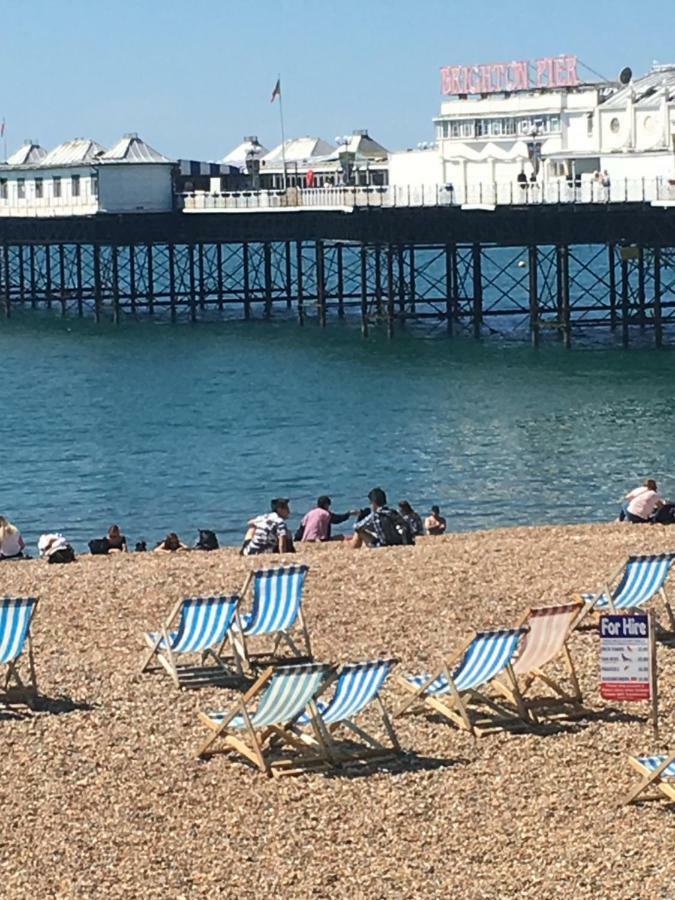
(478,194)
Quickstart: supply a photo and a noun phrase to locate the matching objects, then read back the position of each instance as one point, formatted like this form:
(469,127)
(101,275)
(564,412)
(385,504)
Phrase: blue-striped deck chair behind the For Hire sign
(637,581)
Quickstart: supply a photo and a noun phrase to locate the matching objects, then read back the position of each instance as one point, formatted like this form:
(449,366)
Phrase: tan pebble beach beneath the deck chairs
(103,795)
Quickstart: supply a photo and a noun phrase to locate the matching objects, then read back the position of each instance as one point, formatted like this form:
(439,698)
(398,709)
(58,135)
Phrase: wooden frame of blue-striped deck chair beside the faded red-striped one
(459,710)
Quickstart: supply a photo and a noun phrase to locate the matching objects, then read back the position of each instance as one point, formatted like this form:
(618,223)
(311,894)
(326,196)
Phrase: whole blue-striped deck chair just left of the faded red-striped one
(456,696)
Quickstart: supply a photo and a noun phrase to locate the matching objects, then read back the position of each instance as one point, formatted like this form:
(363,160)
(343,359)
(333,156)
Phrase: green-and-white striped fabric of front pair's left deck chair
(285,697)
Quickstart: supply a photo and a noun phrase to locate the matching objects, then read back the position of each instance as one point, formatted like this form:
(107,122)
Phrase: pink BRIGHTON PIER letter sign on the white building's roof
(520,75)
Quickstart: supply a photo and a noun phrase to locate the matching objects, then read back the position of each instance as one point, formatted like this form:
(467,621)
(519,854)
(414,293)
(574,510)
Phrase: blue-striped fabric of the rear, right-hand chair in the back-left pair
(277,595)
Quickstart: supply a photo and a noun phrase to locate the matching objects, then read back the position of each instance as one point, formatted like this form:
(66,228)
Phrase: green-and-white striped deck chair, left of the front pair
(282,694)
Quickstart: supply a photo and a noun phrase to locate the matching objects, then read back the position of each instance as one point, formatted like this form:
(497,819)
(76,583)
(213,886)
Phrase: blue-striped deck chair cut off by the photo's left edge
(16,617)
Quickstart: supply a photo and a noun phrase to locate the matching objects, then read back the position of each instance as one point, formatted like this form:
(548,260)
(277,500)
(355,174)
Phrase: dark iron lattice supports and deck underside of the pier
(537,271)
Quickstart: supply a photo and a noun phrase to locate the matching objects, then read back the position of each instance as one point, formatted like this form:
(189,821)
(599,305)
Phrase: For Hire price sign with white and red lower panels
(626,657)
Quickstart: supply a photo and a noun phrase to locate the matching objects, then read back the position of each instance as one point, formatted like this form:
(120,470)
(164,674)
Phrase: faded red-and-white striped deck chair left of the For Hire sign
(546,640)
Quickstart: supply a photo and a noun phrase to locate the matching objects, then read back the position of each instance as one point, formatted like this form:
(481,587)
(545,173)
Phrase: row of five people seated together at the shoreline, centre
(378,525)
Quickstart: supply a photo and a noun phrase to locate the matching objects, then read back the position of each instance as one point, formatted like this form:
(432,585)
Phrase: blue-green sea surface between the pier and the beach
(162,427)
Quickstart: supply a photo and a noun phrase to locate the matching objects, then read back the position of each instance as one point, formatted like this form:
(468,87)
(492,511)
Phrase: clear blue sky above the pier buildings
(194,77)
